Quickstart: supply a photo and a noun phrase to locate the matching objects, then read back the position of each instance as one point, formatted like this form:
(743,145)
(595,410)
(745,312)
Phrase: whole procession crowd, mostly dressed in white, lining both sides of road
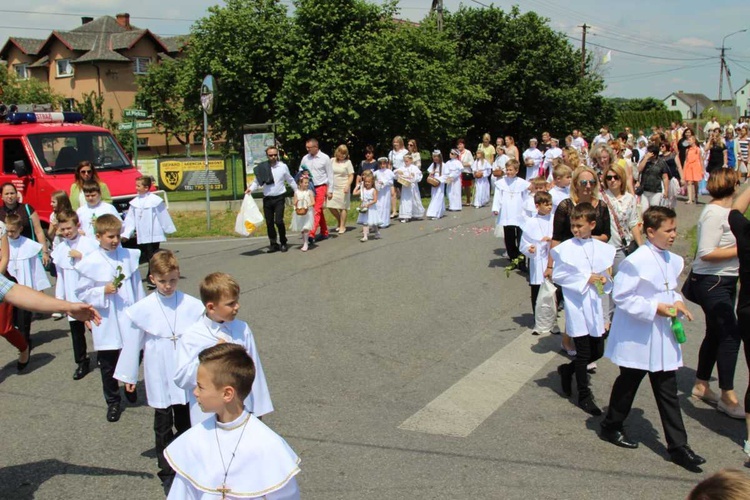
(594,221)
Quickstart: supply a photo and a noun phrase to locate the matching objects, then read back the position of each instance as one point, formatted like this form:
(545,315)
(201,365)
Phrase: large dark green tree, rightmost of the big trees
(531,75)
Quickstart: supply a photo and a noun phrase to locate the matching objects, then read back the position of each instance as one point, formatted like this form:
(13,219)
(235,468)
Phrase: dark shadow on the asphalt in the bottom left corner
(21,482)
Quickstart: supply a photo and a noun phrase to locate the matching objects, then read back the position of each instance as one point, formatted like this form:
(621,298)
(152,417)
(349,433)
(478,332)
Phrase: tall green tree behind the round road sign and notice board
(240,44)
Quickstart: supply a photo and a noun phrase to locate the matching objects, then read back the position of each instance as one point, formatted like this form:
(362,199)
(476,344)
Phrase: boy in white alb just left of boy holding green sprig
(66,254)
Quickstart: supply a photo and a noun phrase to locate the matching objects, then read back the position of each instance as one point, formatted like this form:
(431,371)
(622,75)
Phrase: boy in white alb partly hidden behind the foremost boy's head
(220,295)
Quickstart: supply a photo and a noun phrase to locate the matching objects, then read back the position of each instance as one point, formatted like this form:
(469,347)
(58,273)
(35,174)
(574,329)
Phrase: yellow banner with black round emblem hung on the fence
(189,174)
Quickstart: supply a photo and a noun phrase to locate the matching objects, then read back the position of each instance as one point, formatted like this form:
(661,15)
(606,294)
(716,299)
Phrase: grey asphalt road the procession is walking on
(355,339)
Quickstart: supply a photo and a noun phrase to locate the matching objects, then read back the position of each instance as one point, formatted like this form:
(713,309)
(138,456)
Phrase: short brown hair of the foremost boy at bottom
(230,366)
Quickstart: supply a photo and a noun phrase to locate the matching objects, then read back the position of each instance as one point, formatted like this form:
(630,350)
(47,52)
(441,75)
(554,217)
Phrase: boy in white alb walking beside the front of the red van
(148,218)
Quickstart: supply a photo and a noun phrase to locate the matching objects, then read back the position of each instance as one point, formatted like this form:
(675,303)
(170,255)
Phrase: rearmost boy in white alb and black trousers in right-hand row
(510,194)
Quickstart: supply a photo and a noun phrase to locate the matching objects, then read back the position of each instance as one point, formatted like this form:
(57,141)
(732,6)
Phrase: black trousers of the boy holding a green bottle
(664,386)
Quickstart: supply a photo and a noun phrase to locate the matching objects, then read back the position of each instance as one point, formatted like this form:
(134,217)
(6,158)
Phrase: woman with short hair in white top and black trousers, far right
(713,285)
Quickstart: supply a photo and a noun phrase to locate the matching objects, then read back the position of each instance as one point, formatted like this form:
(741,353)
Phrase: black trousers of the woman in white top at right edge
(721,345)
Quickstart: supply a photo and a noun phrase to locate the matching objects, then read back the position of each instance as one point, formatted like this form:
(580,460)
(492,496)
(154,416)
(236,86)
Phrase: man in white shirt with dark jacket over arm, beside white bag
(273,175)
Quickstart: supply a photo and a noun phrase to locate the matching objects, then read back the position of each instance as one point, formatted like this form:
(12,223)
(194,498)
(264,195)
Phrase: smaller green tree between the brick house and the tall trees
(167,93)
